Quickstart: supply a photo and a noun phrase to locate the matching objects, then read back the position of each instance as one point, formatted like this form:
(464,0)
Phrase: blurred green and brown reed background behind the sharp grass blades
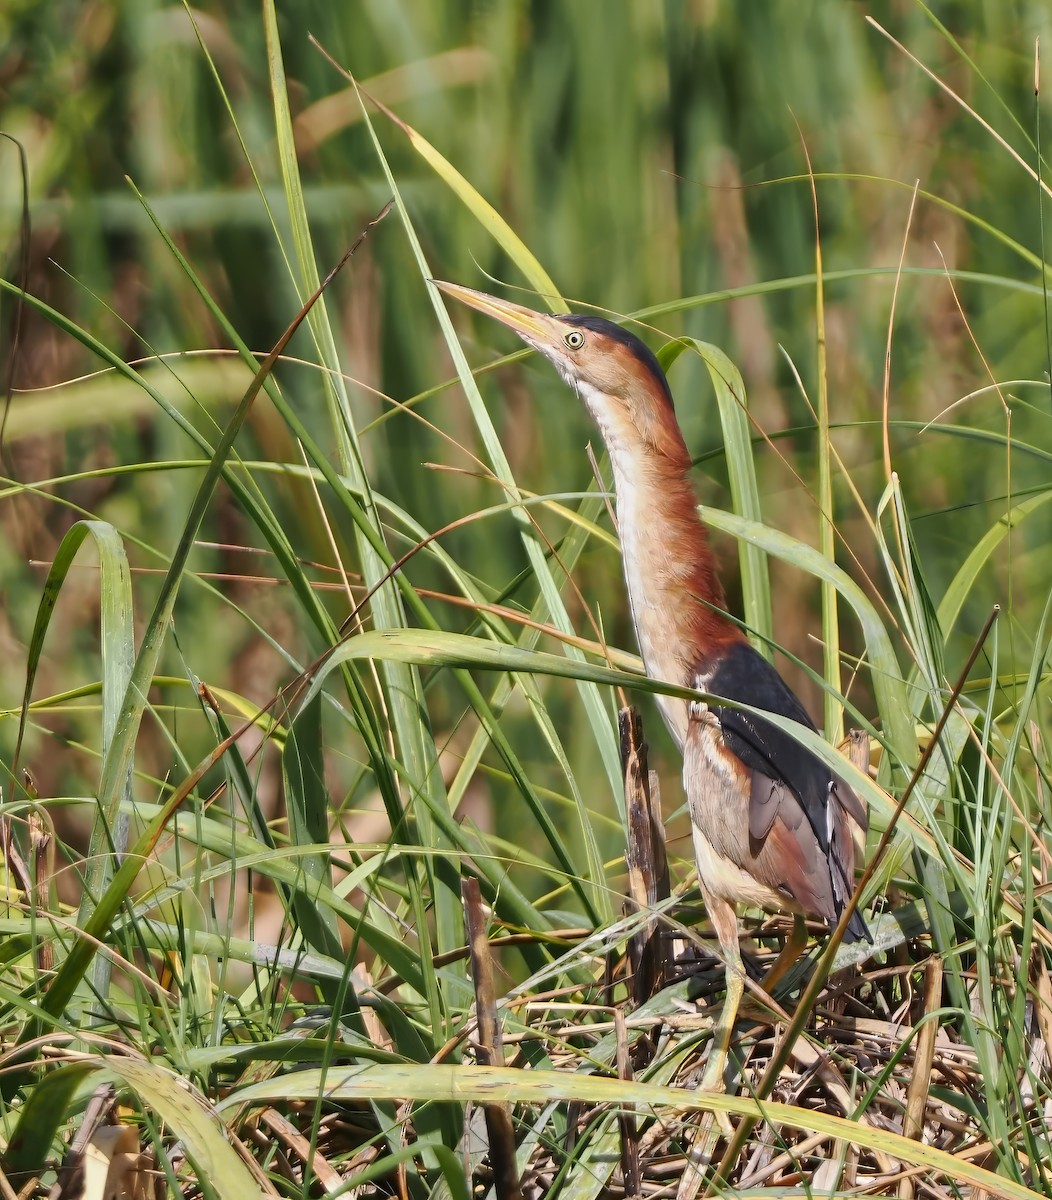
(646,153)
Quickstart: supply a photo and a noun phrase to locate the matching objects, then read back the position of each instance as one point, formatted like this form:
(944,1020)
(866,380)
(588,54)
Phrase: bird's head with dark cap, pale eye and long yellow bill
(614,371)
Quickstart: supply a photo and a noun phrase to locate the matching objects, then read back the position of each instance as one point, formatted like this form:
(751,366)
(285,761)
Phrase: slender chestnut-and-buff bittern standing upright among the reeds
(771,823)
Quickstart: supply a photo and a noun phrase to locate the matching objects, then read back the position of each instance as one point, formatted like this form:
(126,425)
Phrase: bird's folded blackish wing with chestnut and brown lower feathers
(777,760)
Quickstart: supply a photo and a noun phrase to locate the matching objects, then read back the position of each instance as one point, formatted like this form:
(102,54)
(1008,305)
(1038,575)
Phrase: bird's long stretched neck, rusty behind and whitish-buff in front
(675,591)
